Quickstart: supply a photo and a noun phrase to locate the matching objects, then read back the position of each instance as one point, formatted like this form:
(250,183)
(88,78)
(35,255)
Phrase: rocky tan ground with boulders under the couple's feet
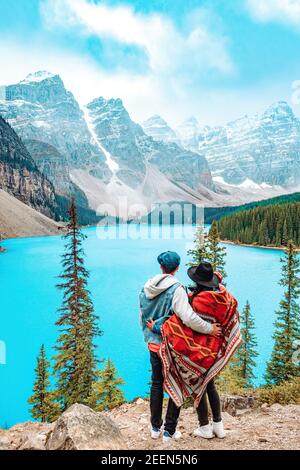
(247,425)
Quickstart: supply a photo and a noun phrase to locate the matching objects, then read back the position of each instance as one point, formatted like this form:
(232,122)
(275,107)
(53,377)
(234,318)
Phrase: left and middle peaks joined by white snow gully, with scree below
(99,147)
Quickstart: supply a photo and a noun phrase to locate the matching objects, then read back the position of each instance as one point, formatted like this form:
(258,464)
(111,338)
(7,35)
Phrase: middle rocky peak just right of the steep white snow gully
(132,150)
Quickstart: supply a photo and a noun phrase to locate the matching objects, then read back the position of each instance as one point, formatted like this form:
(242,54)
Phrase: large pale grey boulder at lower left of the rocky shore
(80,428)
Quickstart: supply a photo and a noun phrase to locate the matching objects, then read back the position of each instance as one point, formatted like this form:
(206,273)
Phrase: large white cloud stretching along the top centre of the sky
(168,50)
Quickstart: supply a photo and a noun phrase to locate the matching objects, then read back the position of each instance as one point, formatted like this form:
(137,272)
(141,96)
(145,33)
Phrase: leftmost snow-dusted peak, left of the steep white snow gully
(41,110)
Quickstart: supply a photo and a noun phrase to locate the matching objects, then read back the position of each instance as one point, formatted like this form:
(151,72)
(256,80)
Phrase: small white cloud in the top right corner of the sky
(282,11)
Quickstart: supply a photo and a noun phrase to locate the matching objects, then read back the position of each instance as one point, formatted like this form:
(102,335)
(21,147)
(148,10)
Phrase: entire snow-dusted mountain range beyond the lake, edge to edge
(108,156)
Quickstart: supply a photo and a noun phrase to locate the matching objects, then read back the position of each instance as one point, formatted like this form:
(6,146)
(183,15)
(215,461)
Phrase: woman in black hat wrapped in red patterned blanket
(191,360)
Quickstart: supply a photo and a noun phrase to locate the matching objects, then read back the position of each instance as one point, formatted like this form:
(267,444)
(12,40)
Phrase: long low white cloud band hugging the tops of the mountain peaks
(142,96)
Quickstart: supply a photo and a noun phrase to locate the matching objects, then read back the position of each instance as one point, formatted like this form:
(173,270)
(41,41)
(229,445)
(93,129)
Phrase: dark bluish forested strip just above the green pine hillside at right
(216,213)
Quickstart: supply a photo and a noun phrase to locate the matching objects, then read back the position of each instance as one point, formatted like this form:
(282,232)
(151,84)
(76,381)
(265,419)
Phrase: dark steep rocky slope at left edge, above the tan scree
(20,176)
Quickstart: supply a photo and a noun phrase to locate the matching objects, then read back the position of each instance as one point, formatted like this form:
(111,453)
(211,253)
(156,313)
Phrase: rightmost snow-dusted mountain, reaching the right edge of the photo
(264,149)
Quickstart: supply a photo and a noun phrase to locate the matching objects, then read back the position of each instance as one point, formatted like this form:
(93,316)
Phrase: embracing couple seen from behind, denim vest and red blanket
(190,339)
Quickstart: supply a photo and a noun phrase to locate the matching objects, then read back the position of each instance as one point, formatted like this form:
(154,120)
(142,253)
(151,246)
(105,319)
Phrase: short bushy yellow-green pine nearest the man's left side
(107,393)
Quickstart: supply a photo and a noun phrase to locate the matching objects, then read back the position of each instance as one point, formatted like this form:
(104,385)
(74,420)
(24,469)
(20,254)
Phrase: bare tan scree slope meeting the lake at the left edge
(19,220)
